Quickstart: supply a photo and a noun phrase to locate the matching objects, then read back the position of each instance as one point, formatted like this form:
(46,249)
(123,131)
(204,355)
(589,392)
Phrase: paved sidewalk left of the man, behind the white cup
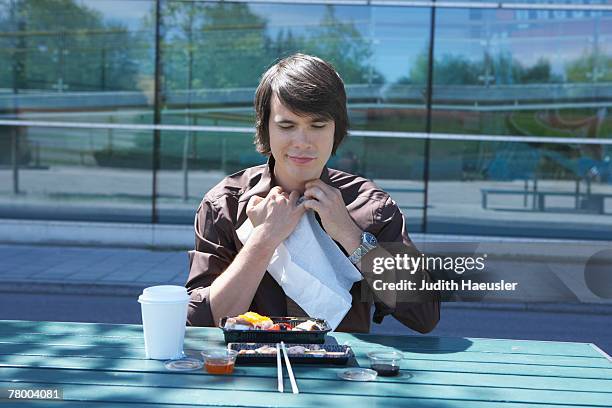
(86,270)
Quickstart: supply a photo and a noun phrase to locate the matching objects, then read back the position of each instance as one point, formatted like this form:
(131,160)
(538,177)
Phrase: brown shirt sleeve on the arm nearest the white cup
(213,253)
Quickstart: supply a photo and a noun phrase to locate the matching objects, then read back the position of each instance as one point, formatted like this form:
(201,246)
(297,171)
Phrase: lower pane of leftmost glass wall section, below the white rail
(63,180)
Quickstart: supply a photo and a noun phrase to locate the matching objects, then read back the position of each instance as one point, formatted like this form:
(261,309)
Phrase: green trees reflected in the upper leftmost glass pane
(48,40)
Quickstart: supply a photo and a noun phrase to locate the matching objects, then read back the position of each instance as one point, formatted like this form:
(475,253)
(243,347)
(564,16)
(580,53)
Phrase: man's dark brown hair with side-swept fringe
(306,85)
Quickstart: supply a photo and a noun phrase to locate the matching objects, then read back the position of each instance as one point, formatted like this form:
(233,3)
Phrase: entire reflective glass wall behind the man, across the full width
(519,107)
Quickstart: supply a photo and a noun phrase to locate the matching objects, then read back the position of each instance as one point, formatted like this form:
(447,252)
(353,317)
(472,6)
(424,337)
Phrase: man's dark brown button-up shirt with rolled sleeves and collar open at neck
(222,212)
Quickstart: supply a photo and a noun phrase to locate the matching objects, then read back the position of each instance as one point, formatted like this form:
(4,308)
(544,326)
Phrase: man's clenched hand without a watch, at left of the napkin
(276,215)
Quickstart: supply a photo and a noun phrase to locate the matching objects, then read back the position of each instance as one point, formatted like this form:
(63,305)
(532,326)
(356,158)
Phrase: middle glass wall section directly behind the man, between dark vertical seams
(214,54)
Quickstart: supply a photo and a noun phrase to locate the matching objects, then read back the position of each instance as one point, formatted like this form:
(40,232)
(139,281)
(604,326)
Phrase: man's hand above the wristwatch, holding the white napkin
(328,203)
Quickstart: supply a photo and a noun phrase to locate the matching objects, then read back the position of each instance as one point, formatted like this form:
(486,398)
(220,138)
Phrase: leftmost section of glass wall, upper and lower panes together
(76,62)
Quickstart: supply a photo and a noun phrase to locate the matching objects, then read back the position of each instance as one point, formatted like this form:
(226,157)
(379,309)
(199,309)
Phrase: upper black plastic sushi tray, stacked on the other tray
(270,336)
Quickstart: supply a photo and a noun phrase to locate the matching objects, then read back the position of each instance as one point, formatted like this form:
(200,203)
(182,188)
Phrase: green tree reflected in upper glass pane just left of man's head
(219,45)
